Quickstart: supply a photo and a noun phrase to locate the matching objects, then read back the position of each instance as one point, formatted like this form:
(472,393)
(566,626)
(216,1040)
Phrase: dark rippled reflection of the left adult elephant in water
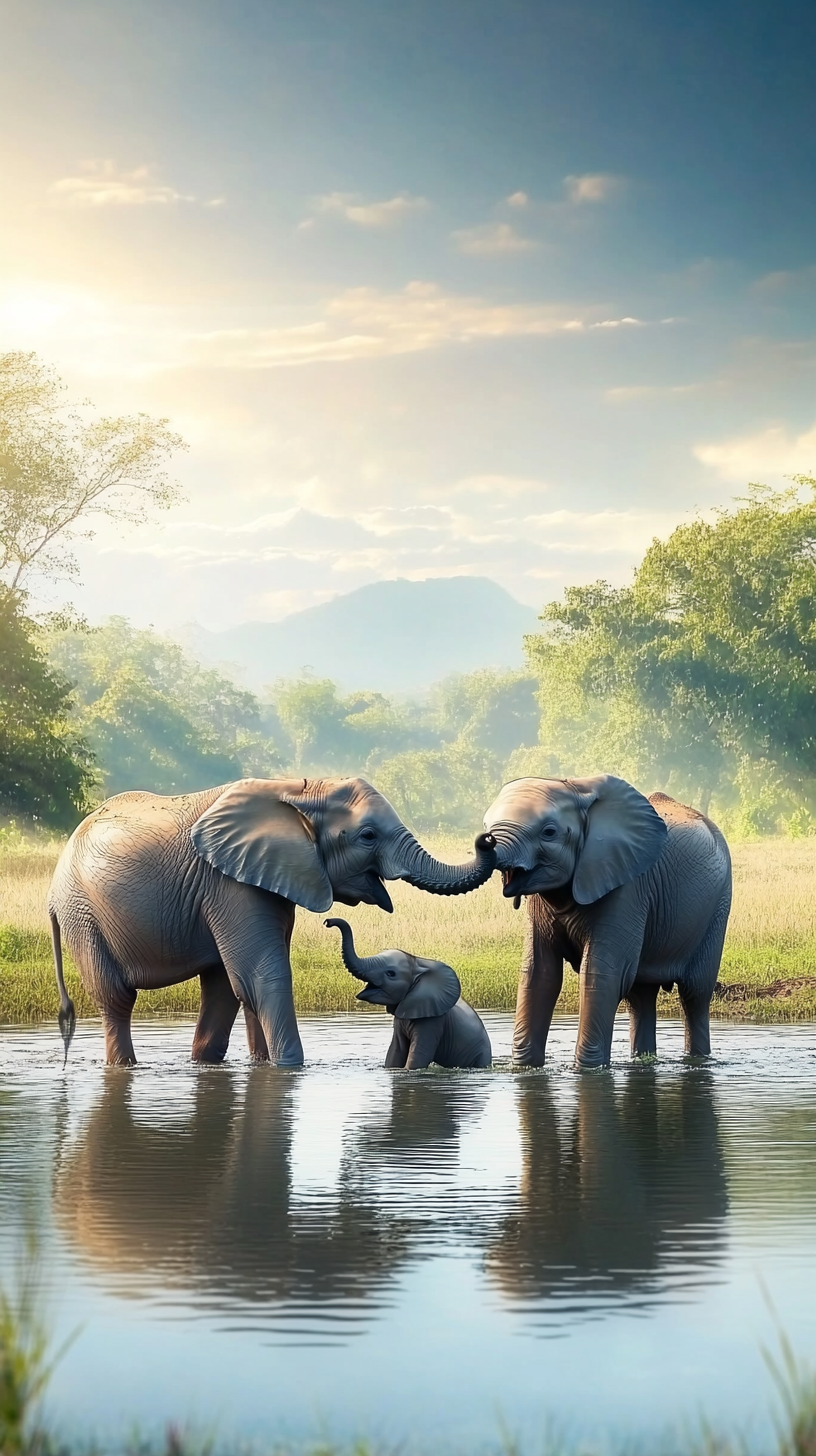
(208,1205)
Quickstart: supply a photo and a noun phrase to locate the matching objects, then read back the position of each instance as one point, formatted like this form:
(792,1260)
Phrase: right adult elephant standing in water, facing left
(633,893)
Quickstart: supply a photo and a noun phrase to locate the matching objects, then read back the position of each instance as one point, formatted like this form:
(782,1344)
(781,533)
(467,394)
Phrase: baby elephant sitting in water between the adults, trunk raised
(431,1020)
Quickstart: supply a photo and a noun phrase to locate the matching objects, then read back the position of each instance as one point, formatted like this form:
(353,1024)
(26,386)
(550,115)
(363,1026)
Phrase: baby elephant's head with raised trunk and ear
(409,985)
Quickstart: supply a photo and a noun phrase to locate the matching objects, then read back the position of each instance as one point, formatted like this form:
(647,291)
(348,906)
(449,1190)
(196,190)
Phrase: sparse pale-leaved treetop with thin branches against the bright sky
(59,471)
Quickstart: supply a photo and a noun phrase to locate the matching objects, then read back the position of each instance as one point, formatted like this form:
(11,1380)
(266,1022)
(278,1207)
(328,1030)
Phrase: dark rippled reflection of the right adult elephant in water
(614,1189)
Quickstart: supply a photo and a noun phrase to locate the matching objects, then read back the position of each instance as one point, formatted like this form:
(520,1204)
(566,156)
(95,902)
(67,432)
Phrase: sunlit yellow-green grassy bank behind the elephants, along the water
(772,940)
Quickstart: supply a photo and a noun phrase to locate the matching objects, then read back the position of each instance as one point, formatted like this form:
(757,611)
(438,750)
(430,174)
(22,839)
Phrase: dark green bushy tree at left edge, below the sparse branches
(46,767)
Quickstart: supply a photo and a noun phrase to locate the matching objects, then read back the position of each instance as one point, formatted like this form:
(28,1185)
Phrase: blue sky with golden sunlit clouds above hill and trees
(436,288)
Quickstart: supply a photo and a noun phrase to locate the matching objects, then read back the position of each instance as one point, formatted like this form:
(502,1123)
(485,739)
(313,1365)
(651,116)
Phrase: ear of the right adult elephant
(624,836)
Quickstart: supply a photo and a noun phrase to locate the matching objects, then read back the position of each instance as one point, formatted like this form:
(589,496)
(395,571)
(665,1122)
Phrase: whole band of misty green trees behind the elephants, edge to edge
(697,679)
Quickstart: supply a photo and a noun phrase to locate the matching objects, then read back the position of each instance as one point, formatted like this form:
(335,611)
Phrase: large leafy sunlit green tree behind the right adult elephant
(700,678)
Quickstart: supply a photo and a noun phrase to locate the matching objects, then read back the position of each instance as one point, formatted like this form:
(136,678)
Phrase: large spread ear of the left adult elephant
(253,835)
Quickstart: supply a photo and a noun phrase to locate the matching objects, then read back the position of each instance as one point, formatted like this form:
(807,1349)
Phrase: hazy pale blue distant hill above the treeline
(394,637)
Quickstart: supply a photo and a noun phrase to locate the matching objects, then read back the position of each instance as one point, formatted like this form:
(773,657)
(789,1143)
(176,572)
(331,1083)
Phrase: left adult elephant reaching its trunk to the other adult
(151,892)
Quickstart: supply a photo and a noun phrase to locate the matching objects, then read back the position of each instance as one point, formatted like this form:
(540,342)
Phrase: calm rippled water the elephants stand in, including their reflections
(429,1256)
